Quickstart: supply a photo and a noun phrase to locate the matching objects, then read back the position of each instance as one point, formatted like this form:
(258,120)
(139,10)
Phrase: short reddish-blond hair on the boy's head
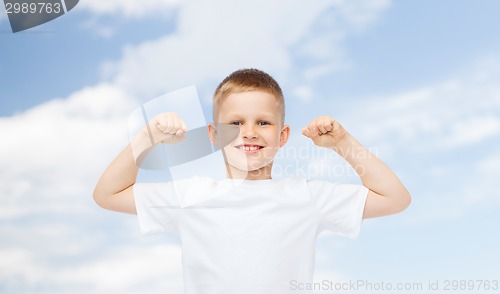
(245,80)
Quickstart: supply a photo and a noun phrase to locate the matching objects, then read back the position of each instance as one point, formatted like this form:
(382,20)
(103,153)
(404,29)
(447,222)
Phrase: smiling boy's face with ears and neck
(261,133)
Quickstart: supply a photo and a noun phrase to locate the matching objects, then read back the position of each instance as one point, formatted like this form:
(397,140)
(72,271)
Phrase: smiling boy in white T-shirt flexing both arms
(250,233)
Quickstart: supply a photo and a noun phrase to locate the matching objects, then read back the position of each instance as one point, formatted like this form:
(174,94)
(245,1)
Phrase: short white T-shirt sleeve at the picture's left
(157,206)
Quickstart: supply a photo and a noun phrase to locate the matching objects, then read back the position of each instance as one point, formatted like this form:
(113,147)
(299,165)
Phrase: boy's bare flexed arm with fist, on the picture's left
(114,190)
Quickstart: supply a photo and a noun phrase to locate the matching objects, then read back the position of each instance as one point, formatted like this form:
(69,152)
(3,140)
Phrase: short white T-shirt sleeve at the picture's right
(340,207)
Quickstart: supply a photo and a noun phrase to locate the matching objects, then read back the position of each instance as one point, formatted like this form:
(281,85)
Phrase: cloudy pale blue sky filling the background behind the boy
(415,81)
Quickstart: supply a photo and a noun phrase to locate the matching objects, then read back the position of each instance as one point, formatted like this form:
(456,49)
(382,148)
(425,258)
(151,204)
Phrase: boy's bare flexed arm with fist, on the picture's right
(387,194)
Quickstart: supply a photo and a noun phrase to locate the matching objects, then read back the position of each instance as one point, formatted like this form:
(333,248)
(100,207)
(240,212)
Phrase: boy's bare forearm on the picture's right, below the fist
(374,174)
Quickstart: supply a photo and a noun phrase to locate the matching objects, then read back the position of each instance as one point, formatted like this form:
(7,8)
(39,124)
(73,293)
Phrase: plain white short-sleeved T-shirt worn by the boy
(242,236)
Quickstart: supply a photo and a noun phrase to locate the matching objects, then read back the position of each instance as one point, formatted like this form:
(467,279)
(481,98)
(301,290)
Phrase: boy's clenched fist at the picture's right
(324,131)
